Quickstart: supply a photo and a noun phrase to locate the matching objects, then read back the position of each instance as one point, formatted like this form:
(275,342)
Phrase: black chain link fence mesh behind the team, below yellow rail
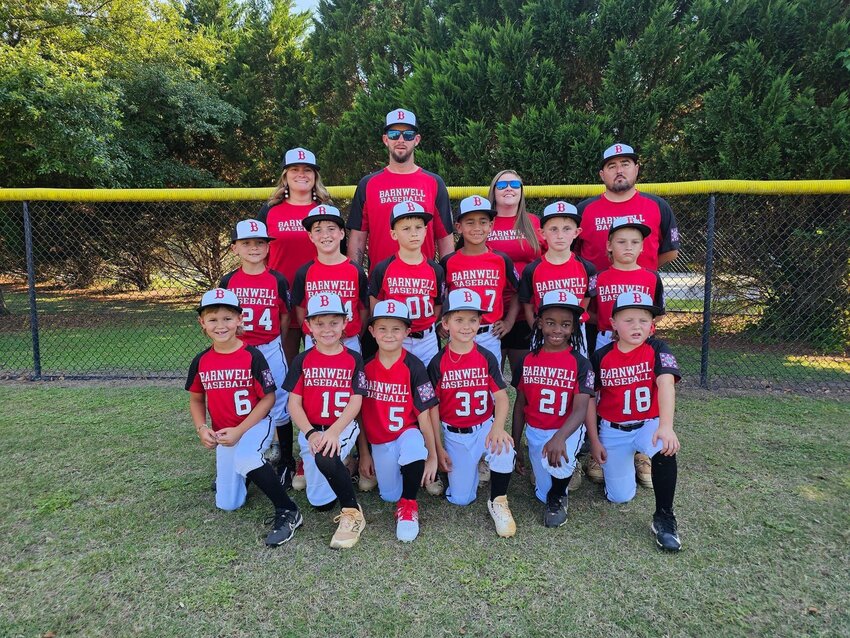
(759,296)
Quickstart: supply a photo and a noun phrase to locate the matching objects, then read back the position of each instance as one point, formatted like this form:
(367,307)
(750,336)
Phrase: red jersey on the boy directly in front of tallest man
(420,287)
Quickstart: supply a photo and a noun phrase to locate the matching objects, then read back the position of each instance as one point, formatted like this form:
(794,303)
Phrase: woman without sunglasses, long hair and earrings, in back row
(298,190)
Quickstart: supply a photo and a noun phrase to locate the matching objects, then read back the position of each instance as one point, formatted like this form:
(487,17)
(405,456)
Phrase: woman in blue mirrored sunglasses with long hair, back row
(517,234)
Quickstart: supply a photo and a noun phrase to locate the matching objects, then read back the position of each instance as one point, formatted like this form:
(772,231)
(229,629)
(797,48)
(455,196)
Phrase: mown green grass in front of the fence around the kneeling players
(109,529)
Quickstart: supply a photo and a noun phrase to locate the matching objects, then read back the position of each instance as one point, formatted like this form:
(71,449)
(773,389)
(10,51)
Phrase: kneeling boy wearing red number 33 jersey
(472,410)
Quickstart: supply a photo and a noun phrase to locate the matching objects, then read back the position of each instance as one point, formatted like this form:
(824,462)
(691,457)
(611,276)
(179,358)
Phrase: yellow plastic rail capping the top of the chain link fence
(798,187)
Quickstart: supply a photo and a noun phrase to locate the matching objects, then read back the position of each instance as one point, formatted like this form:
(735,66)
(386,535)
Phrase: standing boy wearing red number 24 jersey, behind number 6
(264,297)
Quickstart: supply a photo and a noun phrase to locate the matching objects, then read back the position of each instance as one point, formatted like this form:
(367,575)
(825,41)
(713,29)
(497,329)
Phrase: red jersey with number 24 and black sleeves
(263,298)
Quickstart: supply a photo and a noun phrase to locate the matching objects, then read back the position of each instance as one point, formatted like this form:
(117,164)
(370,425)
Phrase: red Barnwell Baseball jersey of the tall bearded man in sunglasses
(373,202)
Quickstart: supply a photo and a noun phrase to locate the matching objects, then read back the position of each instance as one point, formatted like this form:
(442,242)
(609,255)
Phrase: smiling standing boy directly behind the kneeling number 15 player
(331,271)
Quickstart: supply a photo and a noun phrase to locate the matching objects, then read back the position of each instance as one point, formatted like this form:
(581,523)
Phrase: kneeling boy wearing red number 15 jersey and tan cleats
(326,387)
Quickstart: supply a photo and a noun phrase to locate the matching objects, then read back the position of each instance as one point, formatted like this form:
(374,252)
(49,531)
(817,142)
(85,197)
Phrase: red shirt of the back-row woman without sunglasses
(292,247)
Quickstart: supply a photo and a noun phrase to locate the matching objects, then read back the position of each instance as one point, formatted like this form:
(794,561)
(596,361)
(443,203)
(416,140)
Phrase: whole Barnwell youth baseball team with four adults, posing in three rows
(569,299)
